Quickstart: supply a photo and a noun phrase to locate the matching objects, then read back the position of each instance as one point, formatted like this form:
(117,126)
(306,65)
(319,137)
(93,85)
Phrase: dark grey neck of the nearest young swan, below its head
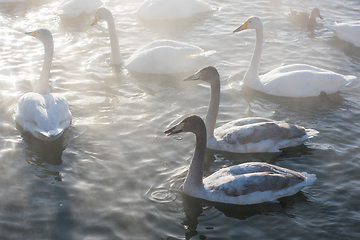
(194,179)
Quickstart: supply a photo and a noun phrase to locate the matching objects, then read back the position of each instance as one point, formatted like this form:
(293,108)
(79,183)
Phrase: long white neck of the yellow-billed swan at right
(253,71)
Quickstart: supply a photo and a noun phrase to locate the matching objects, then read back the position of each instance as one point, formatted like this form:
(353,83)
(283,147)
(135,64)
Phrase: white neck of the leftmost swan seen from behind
(42,86)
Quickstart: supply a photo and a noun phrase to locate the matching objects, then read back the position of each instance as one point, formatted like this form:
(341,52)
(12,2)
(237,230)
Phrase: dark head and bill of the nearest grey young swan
(192,123)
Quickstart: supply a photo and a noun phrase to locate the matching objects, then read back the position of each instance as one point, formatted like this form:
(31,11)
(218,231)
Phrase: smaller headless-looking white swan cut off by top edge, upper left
(73,8)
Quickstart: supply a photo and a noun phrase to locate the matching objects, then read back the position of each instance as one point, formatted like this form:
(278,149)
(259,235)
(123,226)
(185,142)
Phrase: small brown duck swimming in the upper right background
(303,19)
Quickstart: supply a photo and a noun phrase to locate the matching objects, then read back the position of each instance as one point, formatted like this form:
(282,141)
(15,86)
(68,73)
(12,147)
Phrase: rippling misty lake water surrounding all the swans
(114,175)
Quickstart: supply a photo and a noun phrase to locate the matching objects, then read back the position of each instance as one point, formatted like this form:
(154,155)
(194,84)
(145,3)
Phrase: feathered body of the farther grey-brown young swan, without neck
(257,135)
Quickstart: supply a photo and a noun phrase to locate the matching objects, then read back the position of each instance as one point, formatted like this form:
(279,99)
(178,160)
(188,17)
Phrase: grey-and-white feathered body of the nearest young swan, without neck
(251,183)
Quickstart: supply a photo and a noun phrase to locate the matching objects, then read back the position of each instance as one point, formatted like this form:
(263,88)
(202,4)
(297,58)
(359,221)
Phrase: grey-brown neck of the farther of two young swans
(213,108)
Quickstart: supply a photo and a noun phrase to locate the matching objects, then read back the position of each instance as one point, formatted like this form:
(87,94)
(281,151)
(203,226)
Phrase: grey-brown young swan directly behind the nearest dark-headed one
(246,135)
